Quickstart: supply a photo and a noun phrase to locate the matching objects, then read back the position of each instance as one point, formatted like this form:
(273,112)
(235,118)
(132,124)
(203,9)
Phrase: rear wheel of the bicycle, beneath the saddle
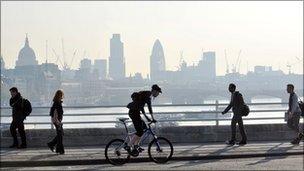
(115,152)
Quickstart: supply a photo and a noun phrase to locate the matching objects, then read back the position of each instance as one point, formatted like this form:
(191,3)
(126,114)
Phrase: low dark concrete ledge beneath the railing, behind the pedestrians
(182,134)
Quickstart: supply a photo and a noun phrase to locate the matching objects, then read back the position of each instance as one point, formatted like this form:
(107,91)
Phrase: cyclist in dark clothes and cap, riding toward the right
(139,99)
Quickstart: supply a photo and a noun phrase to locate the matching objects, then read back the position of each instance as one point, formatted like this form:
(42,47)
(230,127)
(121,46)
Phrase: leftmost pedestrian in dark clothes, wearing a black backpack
(16,102)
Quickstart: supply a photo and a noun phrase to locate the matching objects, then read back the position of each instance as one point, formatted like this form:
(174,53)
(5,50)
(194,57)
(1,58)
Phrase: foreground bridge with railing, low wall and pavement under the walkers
(199,140)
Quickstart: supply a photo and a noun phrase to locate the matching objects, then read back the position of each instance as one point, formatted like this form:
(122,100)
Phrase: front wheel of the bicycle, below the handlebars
(160,150)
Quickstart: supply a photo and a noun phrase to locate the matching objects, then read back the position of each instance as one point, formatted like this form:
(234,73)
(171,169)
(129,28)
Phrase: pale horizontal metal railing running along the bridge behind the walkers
(215,118)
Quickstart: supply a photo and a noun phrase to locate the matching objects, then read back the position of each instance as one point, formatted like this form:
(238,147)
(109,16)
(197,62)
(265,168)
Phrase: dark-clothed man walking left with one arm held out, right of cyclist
(237,104)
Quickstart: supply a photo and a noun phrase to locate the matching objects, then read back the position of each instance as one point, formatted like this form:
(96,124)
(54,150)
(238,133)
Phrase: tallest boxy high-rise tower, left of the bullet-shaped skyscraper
(116,60)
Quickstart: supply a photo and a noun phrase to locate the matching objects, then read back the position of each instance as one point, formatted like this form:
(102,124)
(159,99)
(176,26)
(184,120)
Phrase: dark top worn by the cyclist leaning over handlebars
(140,99)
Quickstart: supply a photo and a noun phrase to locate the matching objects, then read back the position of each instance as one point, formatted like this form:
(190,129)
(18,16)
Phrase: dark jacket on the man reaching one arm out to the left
(236,103)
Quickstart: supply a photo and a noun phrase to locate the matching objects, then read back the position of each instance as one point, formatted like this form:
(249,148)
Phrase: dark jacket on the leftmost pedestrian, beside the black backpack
(16,104)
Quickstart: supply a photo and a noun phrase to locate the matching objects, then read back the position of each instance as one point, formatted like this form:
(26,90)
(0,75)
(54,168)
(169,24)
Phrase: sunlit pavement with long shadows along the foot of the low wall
(32,157)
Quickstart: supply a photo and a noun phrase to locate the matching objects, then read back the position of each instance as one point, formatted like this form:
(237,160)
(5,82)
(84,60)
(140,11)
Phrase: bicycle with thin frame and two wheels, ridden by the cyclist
(158,146)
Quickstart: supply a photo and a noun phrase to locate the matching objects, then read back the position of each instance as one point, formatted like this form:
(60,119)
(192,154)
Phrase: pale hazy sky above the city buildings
(268,33)
